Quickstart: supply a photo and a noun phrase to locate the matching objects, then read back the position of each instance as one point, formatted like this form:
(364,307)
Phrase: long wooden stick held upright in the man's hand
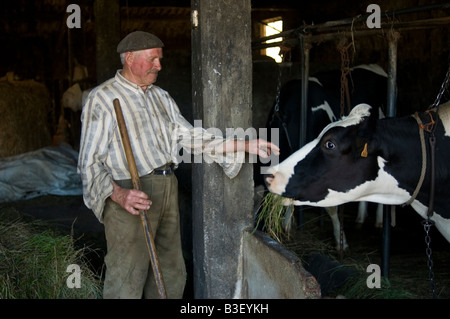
(137,185)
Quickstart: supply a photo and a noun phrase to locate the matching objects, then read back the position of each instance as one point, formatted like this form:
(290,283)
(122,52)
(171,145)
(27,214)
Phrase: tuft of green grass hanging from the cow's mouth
(273,216)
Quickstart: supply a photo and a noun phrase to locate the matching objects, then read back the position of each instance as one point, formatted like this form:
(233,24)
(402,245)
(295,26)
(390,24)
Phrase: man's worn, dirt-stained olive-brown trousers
(129,272)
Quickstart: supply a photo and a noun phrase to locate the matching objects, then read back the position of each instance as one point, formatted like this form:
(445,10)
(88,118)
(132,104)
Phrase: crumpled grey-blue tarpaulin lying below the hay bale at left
(50,170)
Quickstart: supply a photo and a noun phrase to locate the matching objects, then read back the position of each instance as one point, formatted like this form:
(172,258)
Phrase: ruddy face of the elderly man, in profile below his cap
(145,65)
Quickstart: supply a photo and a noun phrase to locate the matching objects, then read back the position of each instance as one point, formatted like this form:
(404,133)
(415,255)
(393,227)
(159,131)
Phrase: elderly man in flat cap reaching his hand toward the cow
(156,127)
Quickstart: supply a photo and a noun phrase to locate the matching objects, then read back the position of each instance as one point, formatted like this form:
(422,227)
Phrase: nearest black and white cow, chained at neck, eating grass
(361,158)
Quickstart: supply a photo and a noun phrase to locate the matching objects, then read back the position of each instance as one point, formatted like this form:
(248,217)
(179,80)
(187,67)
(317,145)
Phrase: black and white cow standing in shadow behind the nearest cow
(367,84)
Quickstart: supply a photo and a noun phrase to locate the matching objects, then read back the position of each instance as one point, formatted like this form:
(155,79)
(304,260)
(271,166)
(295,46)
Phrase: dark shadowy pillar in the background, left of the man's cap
(107,36)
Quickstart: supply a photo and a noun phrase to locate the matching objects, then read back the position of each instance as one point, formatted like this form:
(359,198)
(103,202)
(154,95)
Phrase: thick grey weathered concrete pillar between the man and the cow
(222,86)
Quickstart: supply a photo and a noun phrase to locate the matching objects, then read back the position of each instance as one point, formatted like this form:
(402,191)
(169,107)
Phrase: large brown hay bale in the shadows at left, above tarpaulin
(24,110)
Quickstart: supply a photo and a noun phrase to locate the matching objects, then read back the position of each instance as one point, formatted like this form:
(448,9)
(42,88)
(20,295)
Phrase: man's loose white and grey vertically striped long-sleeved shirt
(157,132)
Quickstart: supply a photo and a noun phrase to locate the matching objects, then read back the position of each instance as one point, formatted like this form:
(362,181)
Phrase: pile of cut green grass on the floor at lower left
(35,260)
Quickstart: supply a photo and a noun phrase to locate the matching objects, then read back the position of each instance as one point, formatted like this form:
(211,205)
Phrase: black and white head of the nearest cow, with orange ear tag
(337,167)
